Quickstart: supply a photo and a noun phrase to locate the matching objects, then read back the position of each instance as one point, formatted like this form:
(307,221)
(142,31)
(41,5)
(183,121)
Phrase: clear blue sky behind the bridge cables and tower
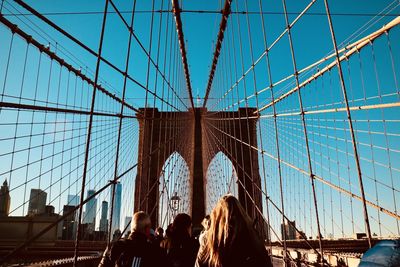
(331,158)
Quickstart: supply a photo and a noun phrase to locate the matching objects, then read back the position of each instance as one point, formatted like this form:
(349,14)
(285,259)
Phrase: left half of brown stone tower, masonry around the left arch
(158,140)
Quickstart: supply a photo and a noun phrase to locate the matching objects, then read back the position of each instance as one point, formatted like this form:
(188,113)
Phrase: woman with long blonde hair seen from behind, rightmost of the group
(231,239)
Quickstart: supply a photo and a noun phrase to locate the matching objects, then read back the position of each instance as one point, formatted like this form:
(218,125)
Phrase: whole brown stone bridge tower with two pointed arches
(159,133)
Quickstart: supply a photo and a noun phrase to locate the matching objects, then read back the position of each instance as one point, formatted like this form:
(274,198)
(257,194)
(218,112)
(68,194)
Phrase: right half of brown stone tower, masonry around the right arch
(233,137)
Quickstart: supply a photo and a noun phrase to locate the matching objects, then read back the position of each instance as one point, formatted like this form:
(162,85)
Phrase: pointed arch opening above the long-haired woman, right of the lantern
(221,179)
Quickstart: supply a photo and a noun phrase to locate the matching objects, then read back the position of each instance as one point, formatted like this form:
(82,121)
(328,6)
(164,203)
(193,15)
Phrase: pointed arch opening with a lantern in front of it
(174,189)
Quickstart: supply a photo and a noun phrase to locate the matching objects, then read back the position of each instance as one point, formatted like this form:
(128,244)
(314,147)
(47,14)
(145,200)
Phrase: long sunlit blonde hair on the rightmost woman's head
(229,225)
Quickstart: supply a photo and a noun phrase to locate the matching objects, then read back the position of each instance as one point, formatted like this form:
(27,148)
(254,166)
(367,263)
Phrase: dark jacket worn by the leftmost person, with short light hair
(133,251)
